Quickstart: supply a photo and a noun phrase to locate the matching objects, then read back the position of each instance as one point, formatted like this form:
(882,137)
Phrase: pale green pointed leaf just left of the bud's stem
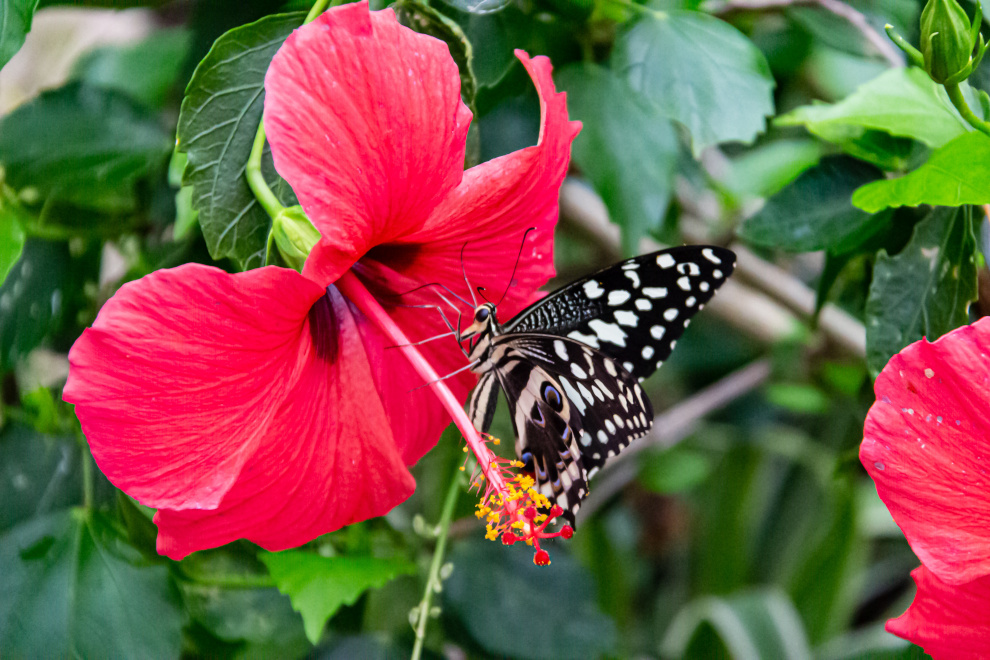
(902,102)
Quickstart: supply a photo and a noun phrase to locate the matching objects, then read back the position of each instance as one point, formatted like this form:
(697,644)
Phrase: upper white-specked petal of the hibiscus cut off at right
(927,447)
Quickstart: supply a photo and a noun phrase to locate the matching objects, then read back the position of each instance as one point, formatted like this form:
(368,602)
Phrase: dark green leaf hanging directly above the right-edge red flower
(924,291)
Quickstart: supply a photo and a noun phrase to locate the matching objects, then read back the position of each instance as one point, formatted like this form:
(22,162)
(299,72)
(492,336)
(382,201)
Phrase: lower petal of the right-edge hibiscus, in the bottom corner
(948,621)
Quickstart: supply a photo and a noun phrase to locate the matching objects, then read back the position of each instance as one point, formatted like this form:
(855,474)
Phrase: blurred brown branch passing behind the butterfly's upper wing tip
(755,308)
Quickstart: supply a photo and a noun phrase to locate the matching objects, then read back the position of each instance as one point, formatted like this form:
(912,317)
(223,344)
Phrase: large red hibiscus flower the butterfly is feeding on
(264,405)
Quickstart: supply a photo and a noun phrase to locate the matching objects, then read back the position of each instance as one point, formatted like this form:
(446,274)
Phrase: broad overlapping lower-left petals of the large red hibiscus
(209,396)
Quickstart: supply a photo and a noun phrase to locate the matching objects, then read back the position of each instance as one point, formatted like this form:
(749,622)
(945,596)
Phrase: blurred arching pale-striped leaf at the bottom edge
(754,624)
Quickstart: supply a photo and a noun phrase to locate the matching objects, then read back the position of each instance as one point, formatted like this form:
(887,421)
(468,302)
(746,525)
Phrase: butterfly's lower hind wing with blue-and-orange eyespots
(573,409)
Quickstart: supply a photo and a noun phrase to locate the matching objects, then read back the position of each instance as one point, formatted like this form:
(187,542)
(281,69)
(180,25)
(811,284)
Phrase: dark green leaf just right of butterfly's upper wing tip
(813,212)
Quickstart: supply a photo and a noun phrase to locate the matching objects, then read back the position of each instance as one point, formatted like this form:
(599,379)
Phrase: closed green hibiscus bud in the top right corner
(947,40)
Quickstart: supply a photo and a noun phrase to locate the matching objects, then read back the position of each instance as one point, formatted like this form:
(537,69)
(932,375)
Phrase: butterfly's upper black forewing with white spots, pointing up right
(634,311)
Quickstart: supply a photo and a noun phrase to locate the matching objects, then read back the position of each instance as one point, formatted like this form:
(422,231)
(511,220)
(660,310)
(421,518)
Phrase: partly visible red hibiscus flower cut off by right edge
(927,447)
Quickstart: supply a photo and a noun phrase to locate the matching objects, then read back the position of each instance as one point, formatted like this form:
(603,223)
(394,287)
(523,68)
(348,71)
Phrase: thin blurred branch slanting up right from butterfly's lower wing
(671,427)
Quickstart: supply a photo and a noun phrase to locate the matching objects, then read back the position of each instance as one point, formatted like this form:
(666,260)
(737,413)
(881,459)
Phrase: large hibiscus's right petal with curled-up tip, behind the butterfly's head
(476,231)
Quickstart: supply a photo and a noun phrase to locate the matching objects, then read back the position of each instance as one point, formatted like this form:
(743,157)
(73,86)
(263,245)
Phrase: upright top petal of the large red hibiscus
(367,125)
